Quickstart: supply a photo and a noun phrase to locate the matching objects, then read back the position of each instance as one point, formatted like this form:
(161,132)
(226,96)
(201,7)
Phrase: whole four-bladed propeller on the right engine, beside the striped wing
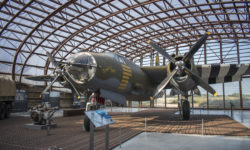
(180,67)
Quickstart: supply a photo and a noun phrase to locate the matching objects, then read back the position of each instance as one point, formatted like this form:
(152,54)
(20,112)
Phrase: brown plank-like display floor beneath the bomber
(69,133)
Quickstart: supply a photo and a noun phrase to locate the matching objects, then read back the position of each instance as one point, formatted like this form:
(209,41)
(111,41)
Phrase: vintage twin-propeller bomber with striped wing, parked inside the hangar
(118,79)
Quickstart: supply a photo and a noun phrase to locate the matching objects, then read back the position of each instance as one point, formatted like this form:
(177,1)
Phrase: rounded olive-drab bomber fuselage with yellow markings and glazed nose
(111,72)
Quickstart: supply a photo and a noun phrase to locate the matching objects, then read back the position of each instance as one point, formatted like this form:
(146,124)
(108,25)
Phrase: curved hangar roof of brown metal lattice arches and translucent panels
(29,28)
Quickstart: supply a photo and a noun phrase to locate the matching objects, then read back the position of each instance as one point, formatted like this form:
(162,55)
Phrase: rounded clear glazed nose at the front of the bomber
(81,67)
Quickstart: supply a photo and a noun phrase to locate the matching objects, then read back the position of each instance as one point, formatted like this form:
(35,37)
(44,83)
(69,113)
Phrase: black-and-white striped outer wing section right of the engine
(218,73)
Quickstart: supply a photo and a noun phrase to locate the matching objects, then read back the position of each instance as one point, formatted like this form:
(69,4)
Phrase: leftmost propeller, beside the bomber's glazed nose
(59,73)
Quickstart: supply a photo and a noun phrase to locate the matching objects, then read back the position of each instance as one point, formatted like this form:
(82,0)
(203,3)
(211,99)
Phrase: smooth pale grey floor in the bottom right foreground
(166,141)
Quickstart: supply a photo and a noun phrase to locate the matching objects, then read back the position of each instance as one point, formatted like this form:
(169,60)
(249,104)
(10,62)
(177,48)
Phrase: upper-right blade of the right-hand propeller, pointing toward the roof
(196,47)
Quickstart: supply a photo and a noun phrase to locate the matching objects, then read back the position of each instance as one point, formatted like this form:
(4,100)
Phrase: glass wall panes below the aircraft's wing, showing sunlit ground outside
(232,96)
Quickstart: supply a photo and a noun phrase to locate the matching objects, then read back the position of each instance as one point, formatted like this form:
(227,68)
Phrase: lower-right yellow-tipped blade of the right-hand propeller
(199,81)
